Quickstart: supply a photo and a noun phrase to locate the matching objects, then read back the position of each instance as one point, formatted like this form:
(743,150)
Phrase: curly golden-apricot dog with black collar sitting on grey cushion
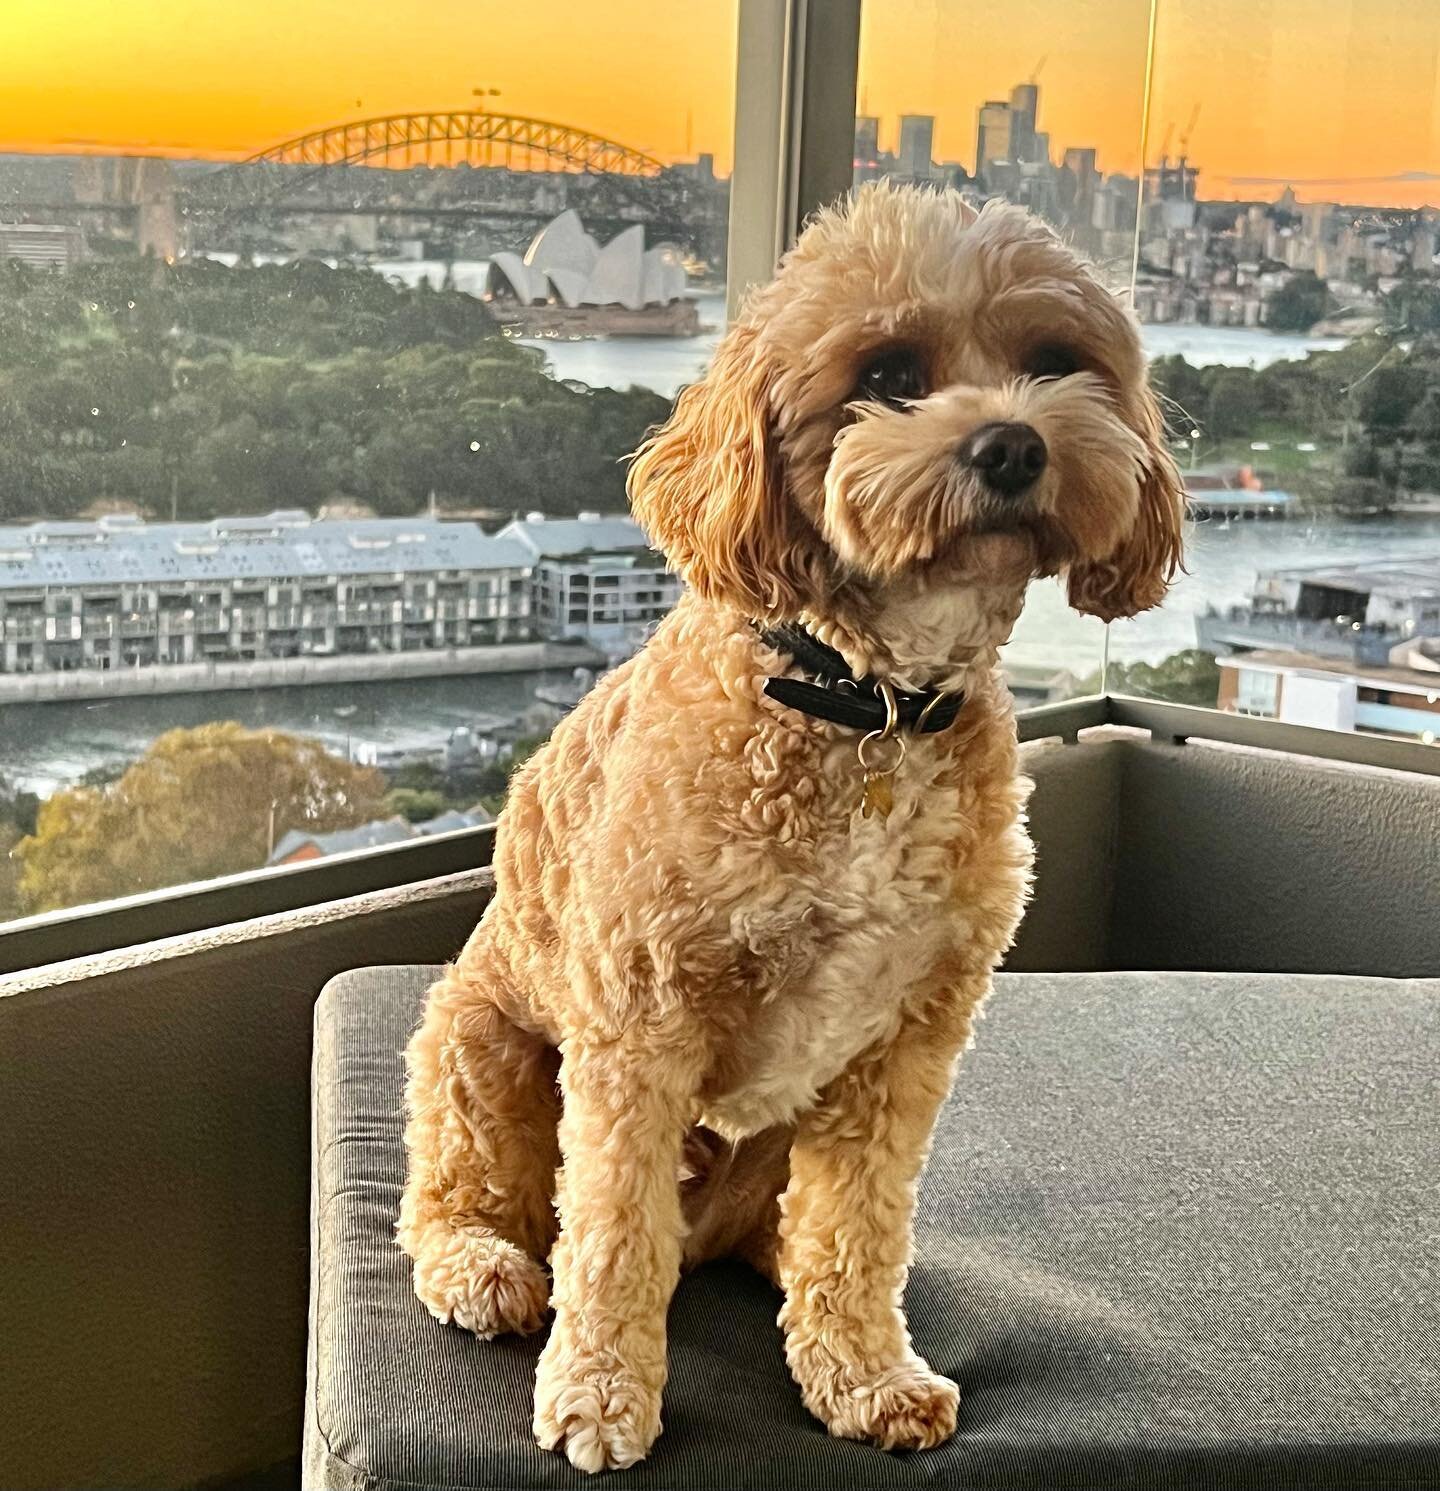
(751,895)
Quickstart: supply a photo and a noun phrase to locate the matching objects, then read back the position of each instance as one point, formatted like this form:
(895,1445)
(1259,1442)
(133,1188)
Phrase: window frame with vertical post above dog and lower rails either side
(795,98)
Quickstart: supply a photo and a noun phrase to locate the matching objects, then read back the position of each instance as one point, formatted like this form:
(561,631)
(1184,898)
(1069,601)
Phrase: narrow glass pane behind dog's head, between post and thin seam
(1041,105)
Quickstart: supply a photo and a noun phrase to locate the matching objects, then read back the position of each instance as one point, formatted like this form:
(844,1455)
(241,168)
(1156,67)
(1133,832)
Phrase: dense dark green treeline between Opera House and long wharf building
(198,390)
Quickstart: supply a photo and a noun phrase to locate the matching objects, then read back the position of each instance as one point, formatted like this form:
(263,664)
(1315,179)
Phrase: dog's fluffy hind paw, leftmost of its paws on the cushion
(482,1283)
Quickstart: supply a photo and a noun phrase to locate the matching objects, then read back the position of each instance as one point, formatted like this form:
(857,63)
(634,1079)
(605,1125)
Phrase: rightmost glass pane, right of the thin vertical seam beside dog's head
(1289,277)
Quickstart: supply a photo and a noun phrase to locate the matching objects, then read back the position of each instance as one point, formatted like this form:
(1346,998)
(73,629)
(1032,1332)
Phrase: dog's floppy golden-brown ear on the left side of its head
(709,488)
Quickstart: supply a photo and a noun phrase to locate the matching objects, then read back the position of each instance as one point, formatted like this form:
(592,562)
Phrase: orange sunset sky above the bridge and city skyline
(1341,98)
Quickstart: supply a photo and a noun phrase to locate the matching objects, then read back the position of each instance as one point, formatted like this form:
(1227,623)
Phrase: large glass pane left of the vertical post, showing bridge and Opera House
(293,338)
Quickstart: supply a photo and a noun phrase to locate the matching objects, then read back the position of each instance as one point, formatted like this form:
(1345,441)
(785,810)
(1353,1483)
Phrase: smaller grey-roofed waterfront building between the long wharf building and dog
(596,578)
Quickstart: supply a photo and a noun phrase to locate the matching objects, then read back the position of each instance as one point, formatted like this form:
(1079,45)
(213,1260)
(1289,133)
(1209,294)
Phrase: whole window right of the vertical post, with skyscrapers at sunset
(1284,268)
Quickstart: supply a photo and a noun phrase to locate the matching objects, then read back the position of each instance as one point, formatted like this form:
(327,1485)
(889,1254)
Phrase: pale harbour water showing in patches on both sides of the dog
(44,746)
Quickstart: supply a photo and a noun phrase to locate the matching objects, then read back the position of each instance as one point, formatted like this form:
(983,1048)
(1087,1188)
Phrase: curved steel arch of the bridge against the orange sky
(455,136)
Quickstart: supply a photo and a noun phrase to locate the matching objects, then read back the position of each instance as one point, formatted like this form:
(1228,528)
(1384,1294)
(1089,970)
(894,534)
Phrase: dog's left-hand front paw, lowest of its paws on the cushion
(604,1414)
